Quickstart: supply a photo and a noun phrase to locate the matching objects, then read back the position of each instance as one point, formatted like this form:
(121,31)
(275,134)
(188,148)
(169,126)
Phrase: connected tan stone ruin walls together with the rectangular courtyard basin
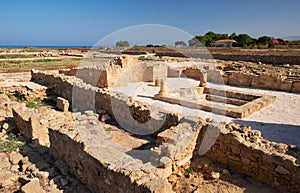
(112,142)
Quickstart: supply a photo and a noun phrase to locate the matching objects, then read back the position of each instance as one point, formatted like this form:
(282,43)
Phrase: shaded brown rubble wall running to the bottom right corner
(244,149)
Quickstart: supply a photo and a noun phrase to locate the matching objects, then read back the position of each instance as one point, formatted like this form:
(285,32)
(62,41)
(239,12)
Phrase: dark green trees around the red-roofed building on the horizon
(243,40)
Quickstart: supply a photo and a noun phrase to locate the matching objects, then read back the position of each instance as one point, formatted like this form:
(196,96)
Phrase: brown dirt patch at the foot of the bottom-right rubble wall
(211,177)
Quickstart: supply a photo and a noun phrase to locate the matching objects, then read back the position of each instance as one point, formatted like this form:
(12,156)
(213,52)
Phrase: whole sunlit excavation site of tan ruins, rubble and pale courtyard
(139,123)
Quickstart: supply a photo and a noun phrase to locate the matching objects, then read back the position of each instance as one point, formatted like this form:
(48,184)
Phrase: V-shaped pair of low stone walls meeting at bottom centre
(105,167)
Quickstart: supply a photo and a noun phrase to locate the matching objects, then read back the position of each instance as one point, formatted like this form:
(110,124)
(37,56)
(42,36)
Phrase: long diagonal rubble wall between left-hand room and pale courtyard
(88,97)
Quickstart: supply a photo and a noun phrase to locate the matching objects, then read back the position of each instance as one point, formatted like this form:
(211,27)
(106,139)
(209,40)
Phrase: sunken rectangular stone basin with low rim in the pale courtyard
(209,99)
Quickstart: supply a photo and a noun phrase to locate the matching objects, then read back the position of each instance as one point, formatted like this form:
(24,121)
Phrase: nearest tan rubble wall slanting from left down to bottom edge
(98,174)
